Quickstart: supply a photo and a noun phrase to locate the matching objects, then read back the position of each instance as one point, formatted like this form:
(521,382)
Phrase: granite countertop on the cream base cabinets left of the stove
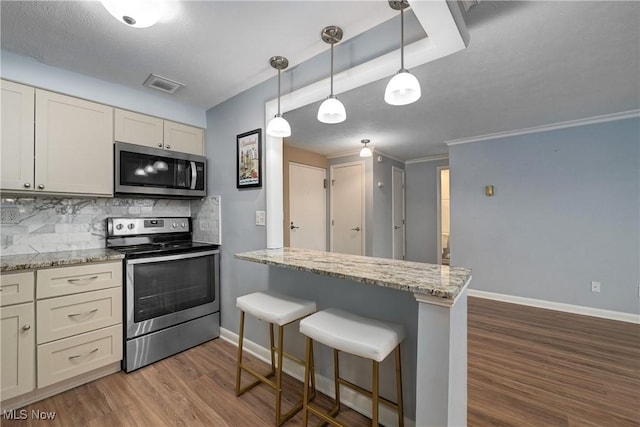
(55,259)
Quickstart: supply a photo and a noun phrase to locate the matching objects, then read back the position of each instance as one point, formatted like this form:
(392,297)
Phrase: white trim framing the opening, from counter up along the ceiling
(444,38)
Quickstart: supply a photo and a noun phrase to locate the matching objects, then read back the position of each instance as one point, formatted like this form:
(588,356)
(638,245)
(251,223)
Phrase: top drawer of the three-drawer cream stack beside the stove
(59,281)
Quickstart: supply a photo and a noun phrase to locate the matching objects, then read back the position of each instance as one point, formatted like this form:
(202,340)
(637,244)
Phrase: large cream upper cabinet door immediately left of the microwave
(74,145)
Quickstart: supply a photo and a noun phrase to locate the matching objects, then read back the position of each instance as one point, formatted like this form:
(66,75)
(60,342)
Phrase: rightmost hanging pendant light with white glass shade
(403,88)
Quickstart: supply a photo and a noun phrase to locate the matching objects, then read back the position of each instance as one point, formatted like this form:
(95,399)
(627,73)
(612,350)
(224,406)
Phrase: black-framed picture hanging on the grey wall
(249,159)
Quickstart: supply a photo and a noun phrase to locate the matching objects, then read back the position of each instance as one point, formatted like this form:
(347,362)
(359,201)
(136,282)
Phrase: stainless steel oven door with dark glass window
(162,291)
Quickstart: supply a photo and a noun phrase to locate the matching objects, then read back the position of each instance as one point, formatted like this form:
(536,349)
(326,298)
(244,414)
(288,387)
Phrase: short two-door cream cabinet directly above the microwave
(136,128)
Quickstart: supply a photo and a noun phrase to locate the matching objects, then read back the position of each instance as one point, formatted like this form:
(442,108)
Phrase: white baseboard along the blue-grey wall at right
(558,306)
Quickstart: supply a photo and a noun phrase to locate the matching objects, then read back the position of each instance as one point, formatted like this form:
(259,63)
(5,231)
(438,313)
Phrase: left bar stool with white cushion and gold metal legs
(275,309)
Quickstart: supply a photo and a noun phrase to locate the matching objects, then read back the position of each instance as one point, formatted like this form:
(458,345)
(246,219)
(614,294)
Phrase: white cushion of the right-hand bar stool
(362,336)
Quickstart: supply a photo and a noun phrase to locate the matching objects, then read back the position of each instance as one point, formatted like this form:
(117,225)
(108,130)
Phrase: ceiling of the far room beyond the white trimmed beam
(528,64)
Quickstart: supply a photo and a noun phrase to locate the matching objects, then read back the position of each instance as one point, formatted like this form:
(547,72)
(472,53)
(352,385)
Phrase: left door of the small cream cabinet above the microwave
(136,128)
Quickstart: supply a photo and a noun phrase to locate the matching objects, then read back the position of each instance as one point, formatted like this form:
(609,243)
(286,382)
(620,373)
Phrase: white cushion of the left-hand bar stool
(275,308)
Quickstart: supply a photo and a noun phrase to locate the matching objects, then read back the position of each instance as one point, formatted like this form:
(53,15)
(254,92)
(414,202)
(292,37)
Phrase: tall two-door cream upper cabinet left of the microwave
(68,151)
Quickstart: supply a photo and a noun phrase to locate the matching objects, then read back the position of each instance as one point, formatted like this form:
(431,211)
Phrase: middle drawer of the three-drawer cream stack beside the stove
(75,314)
